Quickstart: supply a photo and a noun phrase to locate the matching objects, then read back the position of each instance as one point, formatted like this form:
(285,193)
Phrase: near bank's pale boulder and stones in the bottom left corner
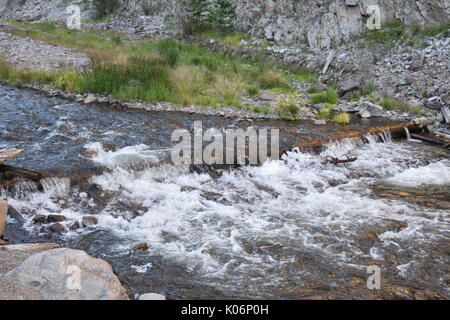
(45,271)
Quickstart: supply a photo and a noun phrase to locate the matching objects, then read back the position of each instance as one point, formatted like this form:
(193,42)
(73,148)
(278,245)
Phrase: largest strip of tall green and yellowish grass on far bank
(155,71)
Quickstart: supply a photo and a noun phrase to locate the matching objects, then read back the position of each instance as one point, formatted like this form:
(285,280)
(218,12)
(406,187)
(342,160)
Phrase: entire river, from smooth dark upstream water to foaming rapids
(289,229)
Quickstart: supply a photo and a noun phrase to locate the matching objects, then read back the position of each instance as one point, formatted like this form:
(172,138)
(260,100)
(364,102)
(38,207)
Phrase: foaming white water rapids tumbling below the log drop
(251,222)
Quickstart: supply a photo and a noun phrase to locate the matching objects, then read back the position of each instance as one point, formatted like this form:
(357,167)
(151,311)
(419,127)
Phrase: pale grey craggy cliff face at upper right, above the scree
(324,22)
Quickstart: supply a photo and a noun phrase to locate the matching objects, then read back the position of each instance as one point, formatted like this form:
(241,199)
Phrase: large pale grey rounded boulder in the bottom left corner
(67,274)
